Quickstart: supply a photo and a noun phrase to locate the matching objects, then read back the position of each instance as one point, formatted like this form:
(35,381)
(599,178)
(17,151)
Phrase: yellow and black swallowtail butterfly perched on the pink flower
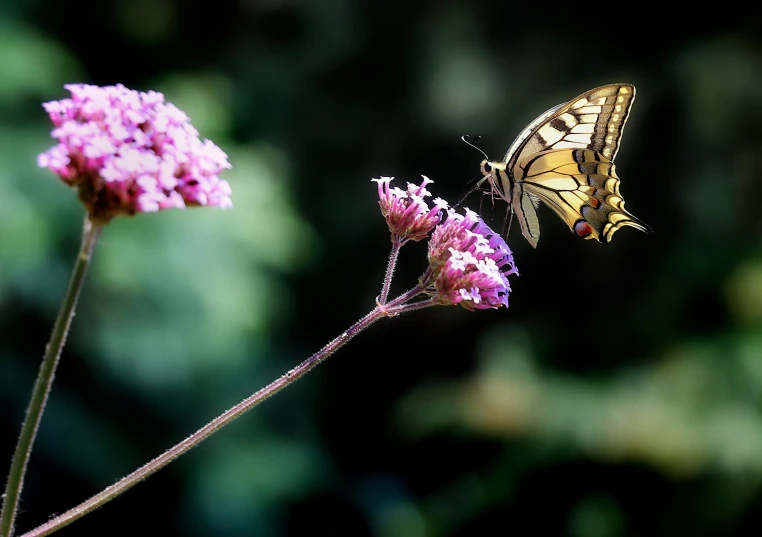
(565,158)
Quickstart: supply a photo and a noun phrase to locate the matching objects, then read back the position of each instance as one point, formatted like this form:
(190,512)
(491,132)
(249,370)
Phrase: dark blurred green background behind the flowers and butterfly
(619,395)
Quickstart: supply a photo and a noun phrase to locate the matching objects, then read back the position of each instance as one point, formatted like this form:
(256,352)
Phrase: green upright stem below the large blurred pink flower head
(45,379)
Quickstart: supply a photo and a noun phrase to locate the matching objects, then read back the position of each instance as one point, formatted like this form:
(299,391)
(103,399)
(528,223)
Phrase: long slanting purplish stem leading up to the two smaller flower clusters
(225,418)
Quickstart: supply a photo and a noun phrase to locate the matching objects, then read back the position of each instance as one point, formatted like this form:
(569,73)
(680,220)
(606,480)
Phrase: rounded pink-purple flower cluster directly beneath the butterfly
(469,264)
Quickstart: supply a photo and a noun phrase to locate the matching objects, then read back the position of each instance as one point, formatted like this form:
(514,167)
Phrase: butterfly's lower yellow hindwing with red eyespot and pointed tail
(581,186)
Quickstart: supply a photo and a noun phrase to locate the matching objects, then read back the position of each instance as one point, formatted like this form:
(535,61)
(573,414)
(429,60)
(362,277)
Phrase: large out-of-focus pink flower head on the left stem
(129,152)
